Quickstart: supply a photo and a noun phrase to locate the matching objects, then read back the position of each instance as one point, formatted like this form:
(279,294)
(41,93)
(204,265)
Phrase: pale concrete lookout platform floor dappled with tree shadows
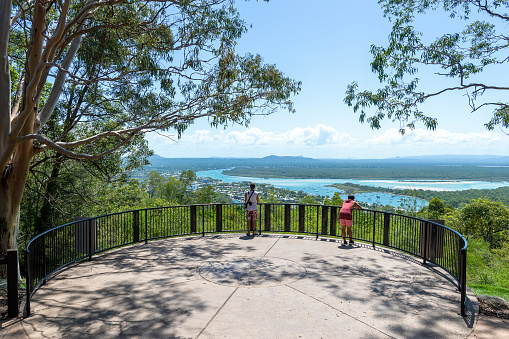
(235,286)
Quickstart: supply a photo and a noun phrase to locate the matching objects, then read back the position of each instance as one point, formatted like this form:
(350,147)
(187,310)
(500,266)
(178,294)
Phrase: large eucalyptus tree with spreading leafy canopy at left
(123,68)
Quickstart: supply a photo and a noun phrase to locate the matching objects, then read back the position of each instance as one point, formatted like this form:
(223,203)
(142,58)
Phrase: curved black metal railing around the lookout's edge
(50,251)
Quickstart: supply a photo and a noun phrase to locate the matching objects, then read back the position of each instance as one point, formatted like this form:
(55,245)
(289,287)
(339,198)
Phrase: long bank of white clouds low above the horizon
(322,141)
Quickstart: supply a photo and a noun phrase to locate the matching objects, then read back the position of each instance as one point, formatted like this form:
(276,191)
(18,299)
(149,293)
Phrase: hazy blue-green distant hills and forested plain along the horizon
(450,167)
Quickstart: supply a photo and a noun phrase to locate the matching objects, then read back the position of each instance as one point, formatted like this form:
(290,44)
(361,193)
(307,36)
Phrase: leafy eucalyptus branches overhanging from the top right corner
(455,59)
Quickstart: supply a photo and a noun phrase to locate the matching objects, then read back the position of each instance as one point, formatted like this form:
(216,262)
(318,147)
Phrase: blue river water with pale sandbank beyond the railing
(318,186)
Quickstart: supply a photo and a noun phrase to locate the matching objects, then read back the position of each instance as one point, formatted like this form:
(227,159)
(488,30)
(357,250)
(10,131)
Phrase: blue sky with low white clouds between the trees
(325,44)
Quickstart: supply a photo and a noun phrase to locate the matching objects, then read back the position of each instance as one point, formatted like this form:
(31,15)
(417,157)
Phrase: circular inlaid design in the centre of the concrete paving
(252,272)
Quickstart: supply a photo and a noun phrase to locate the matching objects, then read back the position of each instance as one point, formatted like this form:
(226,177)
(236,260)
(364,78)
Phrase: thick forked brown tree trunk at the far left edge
(16,157)
